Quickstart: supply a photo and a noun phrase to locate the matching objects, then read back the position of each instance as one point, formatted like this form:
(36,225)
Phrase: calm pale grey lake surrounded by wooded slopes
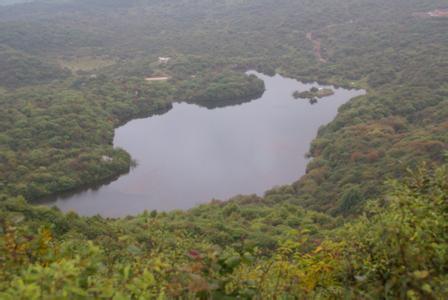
(193,154)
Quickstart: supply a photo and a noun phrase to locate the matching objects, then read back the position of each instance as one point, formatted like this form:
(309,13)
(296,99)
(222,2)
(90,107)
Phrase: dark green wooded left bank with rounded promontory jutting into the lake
(58,137)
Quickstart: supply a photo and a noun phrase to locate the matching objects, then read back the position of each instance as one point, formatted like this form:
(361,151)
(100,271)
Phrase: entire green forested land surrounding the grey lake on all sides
(57,128)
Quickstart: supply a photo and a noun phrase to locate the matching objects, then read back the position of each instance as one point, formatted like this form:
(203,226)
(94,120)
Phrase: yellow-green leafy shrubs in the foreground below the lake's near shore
(397,249)
